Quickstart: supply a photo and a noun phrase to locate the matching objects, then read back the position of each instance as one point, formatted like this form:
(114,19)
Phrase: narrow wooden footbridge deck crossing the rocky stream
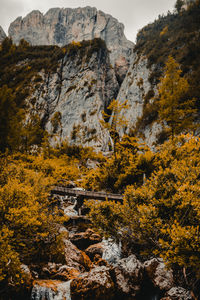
(63,191)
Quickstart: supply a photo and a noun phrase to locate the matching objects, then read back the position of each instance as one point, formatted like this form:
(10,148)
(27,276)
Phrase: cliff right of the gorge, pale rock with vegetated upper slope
(178,35)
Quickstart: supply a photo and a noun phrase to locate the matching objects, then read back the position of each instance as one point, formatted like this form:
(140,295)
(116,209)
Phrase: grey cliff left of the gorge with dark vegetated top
(67,88)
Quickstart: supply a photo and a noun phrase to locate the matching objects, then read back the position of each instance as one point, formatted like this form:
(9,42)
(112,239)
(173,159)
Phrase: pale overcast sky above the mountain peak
(134,14)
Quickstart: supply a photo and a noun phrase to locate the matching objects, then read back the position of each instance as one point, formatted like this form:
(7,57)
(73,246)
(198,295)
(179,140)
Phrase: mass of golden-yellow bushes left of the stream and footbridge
(29,221)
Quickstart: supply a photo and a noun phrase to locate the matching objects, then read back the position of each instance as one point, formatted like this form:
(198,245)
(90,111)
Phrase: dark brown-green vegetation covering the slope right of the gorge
(177,34)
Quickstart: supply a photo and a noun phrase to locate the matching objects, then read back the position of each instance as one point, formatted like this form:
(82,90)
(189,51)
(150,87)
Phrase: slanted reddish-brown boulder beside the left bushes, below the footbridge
(76,258)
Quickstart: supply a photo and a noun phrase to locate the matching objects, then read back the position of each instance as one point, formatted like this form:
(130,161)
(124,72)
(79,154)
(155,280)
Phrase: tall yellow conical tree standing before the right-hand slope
(174,107)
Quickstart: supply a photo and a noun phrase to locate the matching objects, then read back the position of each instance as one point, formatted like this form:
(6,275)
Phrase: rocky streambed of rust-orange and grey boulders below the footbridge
(95,269)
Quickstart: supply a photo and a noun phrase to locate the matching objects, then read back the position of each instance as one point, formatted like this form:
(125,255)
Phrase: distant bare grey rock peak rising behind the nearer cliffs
(62,26)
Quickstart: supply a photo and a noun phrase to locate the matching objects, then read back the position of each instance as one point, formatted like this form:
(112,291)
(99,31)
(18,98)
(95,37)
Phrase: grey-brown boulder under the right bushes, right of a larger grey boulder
(160,276)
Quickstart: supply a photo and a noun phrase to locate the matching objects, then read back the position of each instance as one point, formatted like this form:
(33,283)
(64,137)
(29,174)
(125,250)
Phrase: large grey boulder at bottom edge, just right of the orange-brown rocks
(128,275)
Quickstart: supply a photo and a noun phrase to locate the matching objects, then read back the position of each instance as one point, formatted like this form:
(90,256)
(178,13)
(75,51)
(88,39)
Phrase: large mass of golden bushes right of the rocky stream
(162,216)
